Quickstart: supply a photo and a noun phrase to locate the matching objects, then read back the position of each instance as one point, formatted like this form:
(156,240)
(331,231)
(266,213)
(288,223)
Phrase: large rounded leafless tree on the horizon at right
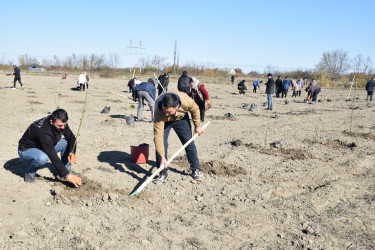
(334,63)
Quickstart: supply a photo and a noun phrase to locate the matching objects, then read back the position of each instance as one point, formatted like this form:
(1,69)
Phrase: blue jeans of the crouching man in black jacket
(37,157)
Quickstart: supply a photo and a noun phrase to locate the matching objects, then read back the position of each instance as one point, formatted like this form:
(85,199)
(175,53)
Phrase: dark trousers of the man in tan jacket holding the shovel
(183,131)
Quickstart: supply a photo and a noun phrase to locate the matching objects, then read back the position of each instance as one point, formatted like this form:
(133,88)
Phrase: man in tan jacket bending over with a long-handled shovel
(172,112)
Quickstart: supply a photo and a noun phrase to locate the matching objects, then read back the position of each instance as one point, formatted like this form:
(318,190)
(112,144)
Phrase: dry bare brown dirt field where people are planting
(270,180)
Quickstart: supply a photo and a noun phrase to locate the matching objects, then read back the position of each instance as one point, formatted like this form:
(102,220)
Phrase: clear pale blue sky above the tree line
(246,34)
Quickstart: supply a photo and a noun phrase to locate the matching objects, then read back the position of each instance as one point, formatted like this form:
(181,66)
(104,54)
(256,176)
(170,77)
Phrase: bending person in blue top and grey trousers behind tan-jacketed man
(145,91)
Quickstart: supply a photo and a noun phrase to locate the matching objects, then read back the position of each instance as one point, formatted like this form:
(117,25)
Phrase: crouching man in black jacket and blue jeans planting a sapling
(42,140)
